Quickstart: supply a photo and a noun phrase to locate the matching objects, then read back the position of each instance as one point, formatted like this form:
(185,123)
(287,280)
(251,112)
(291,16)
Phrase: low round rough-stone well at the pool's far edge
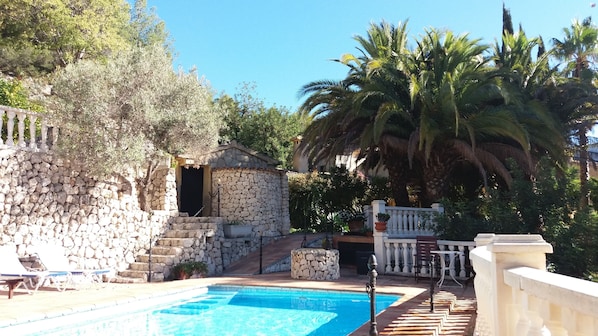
(315,264)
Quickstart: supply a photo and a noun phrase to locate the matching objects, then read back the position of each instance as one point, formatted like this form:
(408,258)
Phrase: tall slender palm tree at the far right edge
(578,50)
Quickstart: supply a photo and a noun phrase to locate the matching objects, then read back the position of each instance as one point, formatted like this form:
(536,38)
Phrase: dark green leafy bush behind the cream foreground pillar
(548,206)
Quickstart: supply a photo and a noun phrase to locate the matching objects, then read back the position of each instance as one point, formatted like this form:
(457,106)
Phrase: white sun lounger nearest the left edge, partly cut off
(10,266)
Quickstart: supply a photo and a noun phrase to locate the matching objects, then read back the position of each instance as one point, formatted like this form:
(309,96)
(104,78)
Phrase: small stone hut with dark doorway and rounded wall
(238,184)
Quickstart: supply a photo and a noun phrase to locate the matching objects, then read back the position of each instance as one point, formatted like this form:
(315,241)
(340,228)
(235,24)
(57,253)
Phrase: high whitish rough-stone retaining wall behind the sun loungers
(46,200)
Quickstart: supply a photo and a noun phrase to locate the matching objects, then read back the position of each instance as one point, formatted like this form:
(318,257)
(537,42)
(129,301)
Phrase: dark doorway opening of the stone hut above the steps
(192,191)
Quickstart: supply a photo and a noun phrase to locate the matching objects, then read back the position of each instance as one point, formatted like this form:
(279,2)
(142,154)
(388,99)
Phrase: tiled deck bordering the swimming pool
(411,310)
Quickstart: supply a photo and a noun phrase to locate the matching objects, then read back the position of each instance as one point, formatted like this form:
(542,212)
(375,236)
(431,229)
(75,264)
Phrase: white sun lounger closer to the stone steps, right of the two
(53,259)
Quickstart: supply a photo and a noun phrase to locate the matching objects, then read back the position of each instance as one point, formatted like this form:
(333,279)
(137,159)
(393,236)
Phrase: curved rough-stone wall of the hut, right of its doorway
(259,197)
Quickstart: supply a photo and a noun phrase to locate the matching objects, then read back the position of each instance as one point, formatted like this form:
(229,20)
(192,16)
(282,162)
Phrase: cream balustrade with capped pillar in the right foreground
(517,296)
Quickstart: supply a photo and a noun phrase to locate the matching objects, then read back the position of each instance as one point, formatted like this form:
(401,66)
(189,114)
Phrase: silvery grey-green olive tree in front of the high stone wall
(132,111)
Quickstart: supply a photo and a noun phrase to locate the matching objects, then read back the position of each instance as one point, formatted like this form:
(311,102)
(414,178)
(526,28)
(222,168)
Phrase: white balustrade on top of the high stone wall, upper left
(37,136)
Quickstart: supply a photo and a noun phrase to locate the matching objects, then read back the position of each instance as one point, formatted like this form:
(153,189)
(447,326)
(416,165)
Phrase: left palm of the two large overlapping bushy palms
(357,110)
